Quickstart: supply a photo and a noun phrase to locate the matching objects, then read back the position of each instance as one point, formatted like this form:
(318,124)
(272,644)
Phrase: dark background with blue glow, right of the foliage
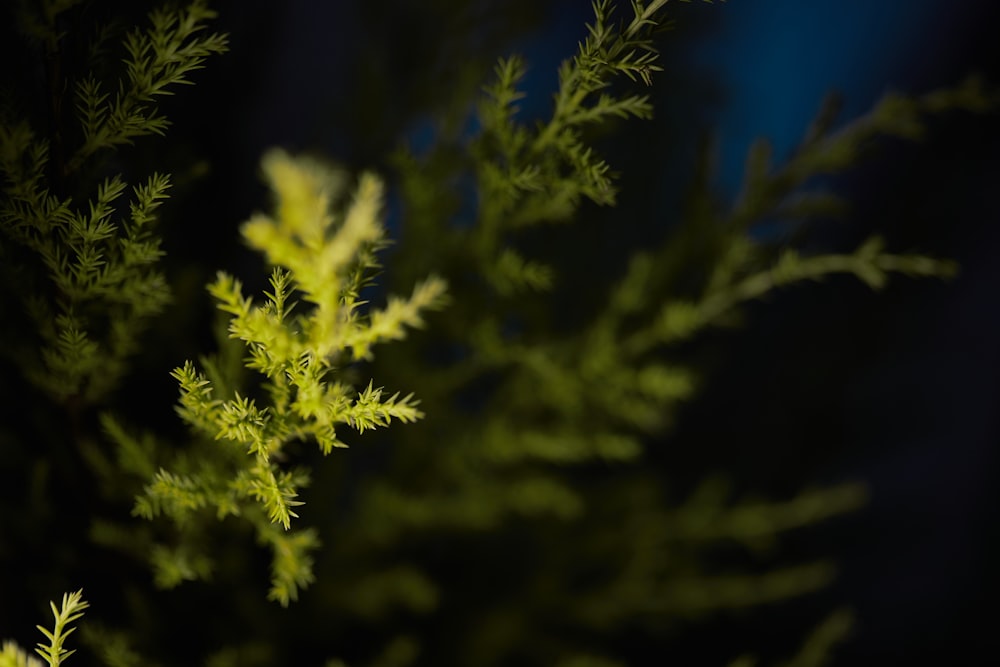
(903,385)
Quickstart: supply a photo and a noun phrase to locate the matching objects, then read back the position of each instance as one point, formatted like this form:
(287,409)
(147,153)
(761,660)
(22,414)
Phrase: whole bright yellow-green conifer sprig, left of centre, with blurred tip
(310,324)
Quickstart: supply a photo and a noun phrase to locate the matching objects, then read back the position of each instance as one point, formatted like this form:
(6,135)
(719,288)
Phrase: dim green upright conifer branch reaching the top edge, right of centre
(527,176)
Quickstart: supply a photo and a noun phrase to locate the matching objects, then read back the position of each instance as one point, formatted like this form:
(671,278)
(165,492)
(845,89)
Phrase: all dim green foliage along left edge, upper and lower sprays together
(91,283)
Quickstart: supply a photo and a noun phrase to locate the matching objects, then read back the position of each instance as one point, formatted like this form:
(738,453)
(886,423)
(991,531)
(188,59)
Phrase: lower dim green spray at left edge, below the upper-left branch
(95,264)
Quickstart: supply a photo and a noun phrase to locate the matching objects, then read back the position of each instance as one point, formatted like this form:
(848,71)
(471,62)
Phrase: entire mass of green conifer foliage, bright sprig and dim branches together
(547,392)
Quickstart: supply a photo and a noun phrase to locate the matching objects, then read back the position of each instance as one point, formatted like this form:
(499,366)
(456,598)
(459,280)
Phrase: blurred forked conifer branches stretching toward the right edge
(740,273)
